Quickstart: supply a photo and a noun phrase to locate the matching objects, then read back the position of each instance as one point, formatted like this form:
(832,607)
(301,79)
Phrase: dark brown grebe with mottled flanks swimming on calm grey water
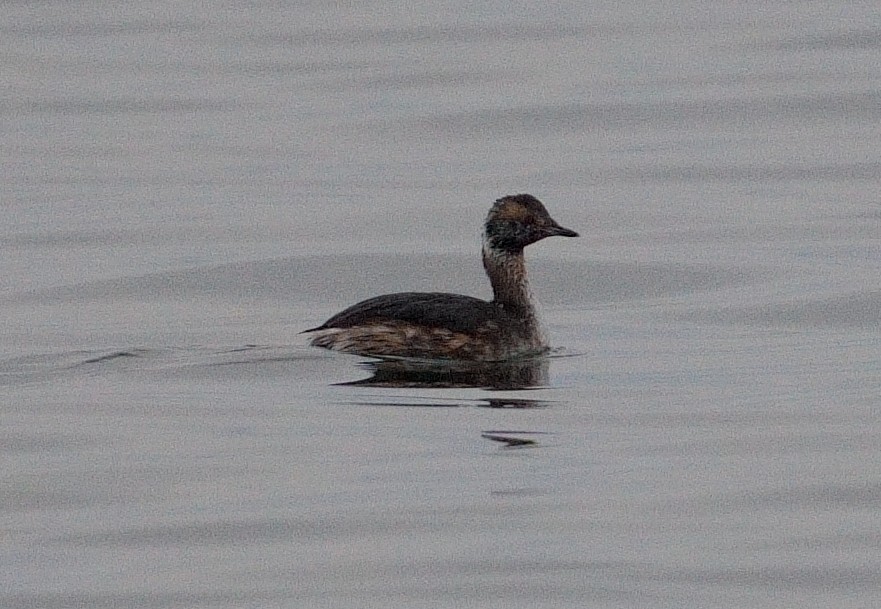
(433,325)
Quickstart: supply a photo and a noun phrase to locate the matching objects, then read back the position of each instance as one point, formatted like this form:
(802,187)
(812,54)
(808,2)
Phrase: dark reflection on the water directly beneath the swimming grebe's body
(519,374)
